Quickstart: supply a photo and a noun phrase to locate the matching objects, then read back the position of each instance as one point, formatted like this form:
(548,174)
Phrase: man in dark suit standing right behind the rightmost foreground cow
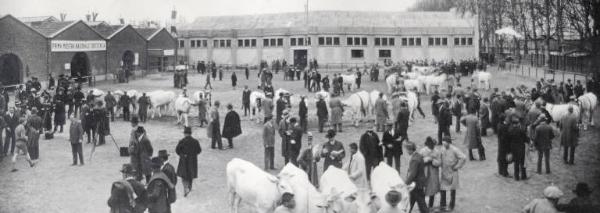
(392,146)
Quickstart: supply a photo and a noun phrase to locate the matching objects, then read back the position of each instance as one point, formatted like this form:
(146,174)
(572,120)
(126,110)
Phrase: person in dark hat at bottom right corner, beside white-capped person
(582,203)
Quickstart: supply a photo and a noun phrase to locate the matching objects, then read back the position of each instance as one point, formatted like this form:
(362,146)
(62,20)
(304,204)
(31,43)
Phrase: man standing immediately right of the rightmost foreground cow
(416,174)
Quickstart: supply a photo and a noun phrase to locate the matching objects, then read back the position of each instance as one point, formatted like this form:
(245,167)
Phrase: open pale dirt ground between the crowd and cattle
(55,186)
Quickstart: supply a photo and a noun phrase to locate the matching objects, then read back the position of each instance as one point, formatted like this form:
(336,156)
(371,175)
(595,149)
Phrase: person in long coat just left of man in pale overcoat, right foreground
(433,160)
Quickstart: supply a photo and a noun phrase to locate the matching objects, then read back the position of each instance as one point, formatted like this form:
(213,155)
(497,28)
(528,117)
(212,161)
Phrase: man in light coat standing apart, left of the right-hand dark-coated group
(473,136)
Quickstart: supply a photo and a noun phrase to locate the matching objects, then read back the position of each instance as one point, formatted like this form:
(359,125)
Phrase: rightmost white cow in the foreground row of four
(385,179)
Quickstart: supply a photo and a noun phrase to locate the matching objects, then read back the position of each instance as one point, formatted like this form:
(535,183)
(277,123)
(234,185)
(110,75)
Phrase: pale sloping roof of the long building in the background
(331,19)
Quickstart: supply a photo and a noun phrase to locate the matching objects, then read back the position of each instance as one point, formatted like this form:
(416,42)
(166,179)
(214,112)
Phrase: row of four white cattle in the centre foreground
(261,191)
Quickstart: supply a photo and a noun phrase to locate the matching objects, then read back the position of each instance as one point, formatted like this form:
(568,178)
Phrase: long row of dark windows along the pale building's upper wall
(329,41)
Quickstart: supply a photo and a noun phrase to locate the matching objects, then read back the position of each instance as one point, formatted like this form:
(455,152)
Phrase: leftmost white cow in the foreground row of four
(249,184)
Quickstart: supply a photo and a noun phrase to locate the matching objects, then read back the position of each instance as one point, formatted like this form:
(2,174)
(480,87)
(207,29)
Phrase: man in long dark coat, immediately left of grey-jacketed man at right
(517,137)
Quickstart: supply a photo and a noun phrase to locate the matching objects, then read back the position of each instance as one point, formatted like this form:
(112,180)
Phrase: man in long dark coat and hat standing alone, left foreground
(188,150)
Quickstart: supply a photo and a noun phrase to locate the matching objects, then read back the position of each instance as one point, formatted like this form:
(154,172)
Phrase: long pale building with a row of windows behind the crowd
(330,37)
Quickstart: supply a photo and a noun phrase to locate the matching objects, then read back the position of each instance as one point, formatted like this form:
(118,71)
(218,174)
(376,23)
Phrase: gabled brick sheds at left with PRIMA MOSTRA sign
(43,46)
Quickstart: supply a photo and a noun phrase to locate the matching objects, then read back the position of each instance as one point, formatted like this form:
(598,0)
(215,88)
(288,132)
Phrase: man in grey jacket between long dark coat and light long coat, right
(542,138)
